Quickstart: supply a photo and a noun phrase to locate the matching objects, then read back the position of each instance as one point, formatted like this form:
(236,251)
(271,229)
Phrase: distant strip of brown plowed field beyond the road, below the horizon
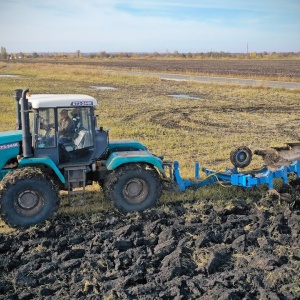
(244,68)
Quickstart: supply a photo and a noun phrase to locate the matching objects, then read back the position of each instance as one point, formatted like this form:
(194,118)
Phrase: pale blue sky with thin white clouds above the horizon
(150,26)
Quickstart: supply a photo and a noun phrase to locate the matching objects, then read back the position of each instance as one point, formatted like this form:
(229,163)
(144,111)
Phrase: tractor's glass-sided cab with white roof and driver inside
(63,128)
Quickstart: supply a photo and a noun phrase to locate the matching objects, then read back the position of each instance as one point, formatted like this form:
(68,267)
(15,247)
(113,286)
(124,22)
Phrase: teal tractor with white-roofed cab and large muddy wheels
(35,163)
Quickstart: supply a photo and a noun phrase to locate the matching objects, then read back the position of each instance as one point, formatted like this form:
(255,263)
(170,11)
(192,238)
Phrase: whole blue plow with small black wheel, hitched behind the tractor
(279,162)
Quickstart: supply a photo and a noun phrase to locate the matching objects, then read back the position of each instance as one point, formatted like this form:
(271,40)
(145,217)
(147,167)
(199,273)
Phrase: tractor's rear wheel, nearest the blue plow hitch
(133,187)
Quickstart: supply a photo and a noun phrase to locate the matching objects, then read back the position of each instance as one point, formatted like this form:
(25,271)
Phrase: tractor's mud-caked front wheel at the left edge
(27,197)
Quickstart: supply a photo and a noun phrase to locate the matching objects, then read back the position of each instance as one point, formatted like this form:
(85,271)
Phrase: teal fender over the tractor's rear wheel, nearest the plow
(117,159)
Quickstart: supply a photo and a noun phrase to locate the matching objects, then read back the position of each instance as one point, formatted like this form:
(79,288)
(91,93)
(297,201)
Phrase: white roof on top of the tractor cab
(60,100)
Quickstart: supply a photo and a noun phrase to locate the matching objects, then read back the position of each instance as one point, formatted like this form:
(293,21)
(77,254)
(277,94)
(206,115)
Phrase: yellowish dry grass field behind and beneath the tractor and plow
(186,130)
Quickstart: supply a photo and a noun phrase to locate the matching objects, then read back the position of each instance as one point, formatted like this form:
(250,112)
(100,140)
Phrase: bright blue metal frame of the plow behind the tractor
(233,177)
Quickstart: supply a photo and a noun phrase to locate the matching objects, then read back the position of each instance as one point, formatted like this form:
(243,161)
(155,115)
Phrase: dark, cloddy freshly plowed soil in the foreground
(181,251)
